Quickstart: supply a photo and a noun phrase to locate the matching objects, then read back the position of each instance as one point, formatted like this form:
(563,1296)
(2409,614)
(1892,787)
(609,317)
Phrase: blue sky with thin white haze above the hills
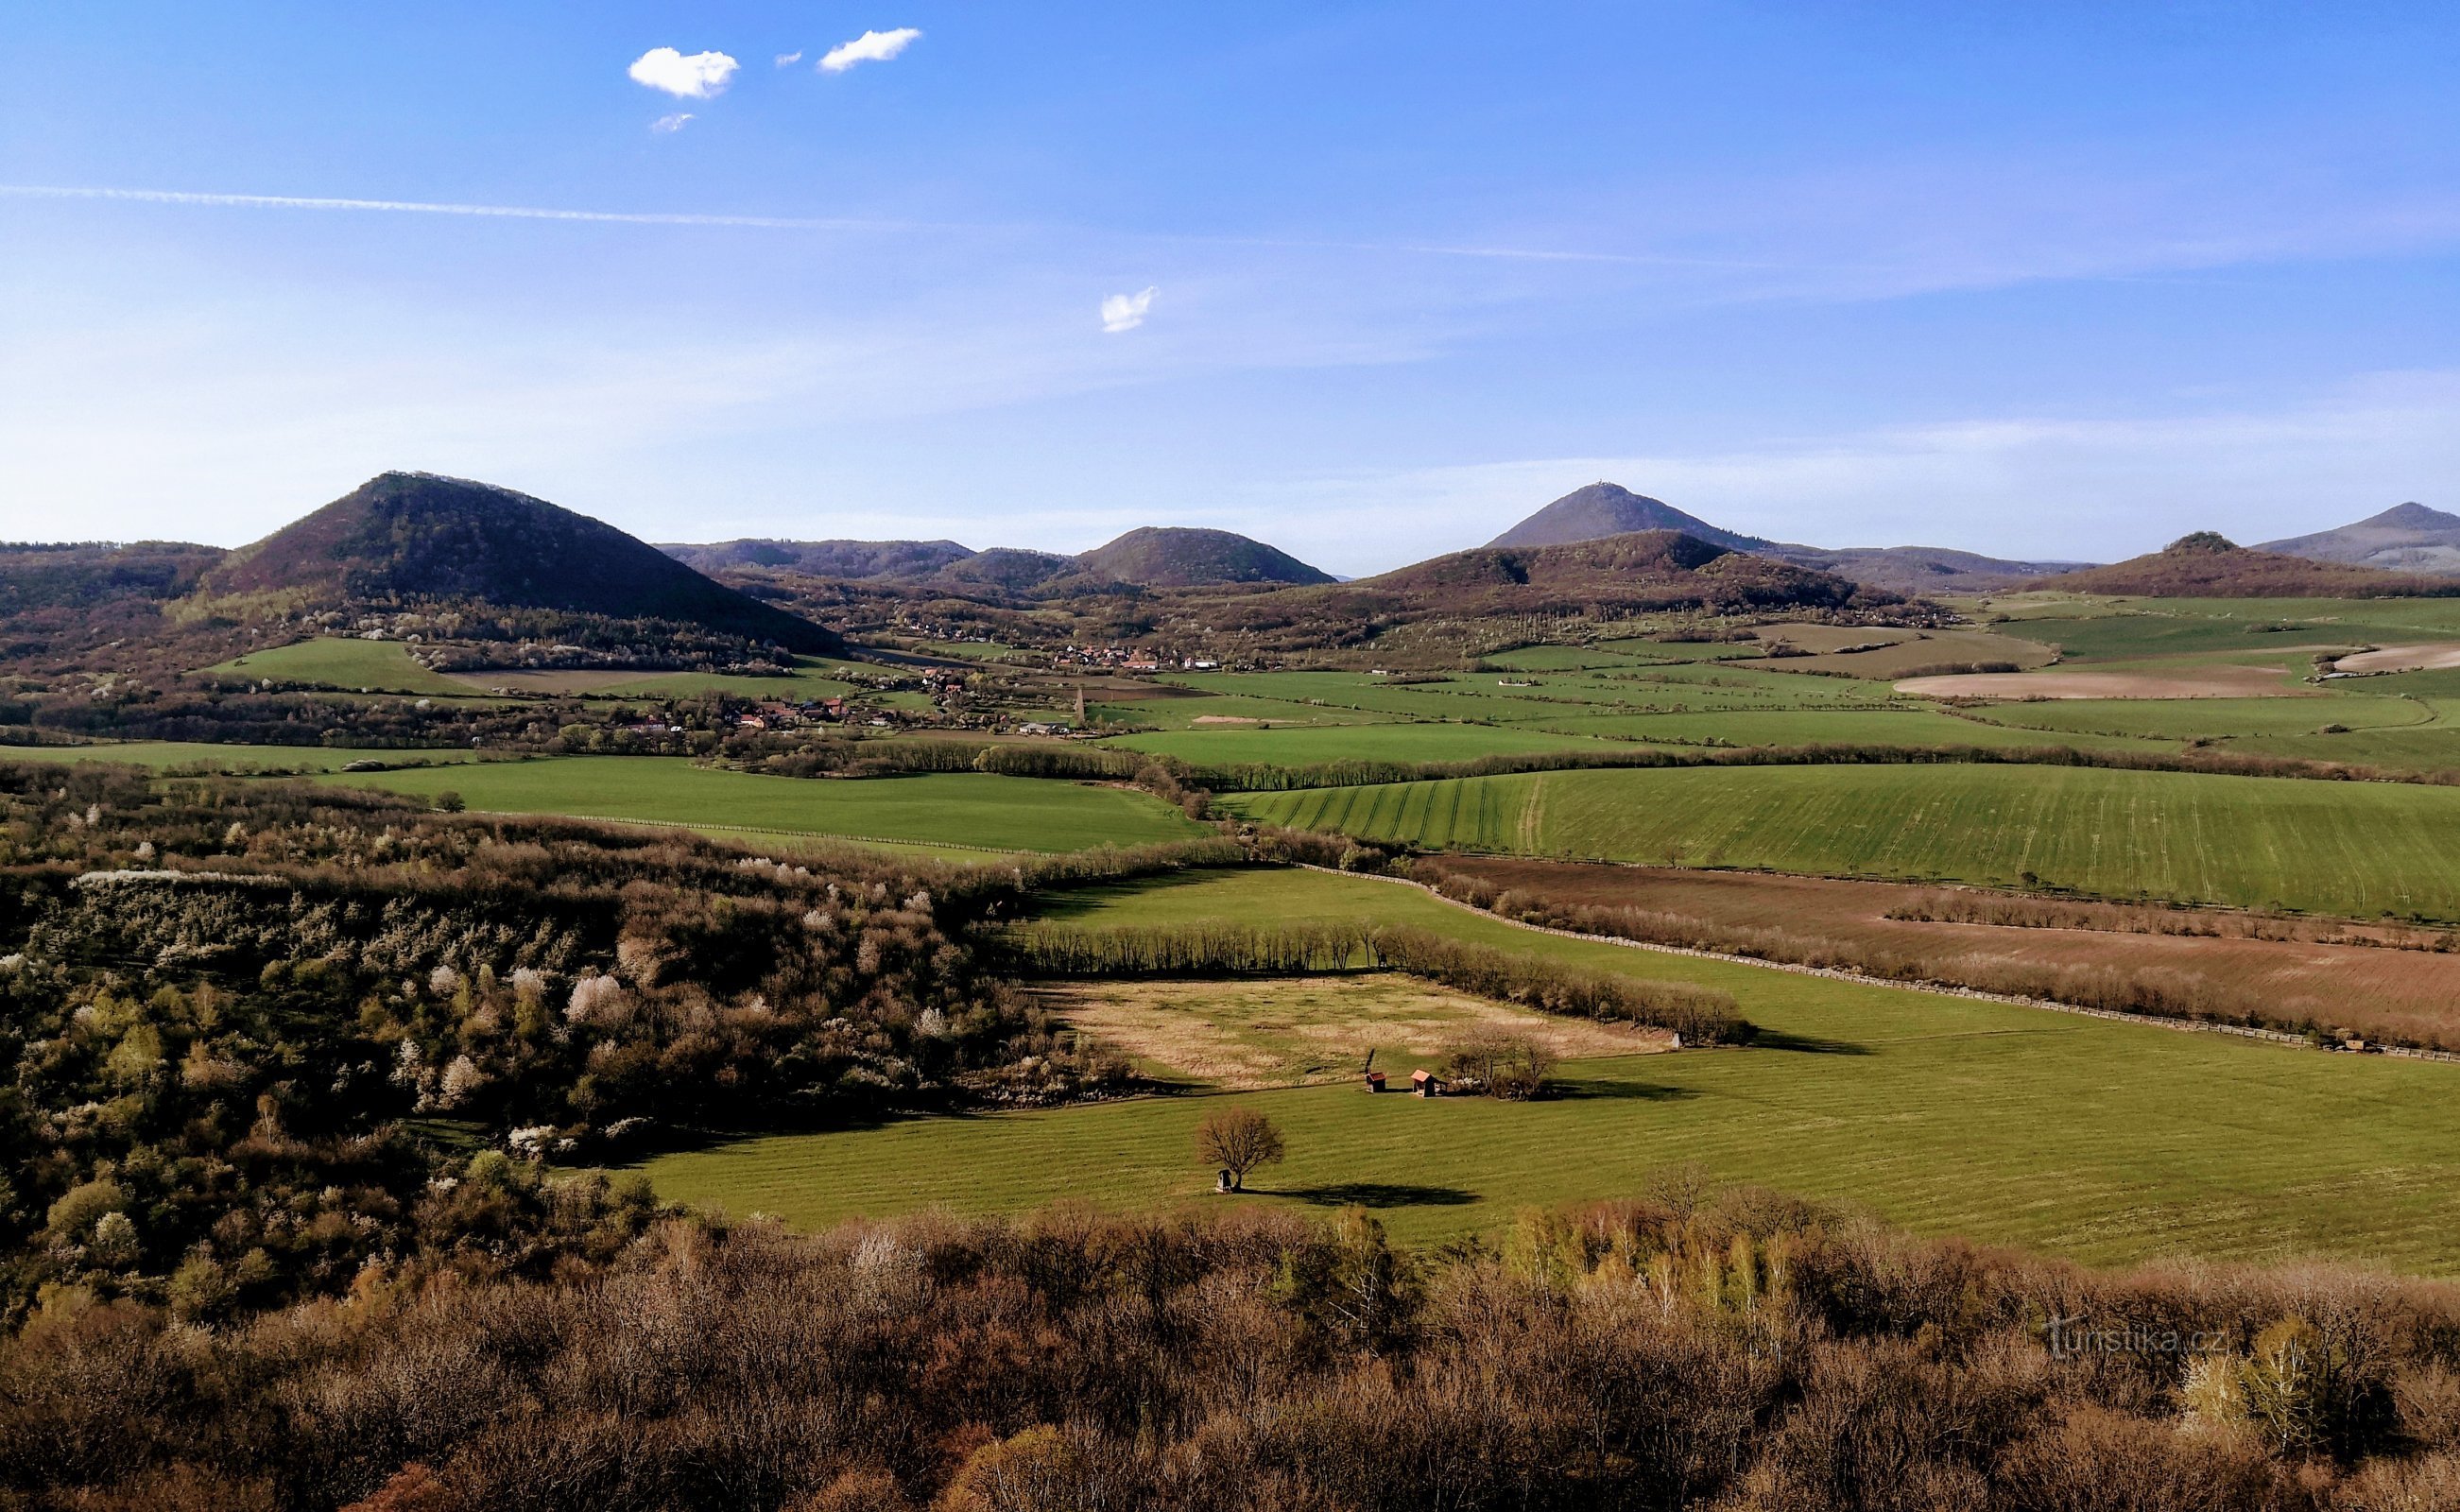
(2045,282)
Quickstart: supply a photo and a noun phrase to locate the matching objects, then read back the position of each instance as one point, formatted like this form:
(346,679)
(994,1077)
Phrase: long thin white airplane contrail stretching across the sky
(633,218)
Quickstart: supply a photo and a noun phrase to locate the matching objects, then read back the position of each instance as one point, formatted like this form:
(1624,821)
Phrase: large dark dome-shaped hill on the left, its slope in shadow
(419,540)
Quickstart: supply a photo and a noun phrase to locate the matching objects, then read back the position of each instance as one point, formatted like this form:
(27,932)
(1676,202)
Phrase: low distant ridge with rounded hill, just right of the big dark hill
(1153,557)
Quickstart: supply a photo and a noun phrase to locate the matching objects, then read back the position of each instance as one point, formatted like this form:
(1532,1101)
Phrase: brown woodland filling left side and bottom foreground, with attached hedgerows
(282,1068)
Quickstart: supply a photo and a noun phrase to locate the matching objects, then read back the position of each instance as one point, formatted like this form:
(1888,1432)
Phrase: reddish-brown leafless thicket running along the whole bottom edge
(1733,1353)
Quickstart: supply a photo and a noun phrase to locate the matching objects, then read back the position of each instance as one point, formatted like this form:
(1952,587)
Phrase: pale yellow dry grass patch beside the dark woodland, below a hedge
(1310,1029)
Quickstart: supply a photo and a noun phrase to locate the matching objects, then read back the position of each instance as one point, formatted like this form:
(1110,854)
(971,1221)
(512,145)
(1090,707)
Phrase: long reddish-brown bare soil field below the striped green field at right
(2405,994)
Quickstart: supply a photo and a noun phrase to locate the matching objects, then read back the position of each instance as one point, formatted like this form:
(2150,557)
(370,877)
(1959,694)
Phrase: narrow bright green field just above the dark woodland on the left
(936,810)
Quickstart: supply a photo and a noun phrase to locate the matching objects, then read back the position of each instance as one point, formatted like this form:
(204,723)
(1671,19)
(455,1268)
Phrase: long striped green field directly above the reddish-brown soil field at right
(2353,849)
